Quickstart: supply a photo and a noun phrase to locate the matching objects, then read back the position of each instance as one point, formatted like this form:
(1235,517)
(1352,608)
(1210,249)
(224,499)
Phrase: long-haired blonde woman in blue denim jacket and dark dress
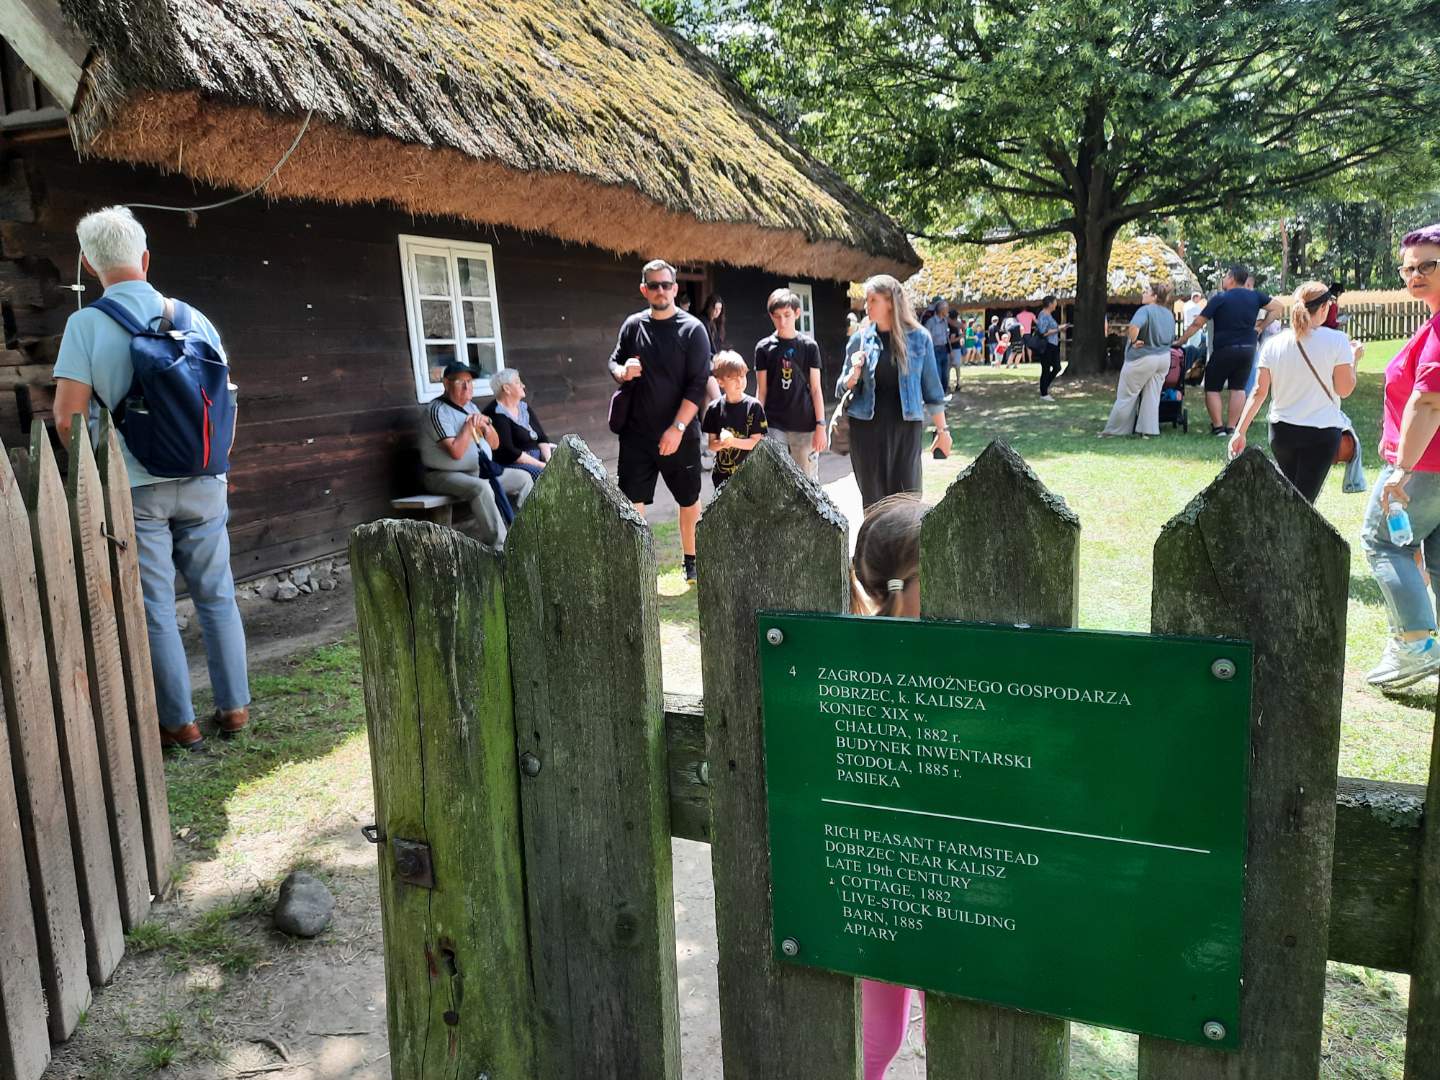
(895,384)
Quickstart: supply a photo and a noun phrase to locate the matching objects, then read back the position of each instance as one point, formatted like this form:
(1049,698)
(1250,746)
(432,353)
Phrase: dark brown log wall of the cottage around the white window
(310,303)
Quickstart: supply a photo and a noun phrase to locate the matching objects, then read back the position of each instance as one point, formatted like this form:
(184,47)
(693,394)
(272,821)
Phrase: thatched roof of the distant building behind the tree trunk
(1016,274)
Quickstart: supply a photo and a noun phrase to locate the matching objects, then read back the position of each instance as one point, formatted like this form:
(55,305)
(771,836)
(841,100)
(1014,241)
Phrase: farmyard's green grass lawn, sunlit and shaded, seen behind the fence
(309,732)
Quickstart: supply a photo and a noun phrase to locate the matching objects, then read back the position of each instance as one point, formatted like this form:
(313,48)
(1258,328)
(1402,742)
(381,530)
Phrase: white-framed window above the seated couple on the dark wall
(453,310)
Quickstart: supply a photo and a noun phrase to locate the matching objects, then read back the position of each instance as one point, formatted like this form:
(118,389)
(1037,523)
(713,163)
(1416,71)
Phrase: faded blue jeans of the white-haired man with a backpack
(181,526)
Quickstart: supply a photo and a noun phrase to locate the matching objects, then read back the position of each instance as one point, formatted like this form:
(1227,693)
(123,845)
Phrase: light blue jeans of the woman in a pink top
(1396,568)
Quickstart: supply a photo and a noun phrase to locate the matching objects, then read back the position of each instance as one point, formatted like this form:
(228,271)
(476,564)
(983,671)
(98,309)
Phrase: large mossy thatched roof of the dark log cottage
(588,122)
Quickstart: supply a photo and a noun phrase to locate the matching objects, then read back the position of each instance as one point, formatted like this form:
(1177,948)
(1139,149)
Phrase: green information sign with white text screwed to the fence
(1039,819)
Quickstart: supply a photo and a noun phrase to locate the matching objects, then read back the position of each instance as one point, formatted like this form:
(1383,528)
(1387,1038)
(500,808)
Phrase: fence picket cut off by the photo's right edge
(1423,1030)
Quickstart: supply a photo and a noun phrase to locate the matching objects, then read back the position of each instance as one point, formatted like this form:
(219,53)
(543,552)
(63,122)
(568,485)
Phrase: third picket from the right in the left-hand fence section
(74,721)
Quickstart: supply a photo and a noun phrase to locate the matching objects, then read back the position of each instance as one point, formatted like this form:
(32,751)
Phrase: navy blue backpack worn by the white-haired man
(179,417)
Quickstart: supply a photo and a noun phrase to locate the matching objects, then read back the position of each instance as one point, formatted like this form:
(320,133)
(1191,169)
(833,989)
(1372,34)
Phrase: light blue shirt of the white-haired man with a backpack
(96,351)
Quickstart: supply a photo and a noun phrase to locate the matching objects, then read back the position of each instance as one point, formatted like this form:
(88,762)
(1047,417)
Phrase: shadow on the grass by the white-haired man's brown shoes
(302,711)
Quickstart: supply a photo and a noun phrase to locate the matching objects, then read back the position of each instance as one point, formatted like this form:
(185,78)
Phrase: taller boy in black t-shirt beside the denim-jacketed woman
(787,375)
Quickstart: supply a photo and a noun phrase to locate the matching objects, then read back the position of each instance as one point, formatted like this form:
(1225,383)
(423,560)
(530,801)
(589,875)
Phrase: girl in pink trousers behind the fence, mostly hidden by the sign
(886,581)
